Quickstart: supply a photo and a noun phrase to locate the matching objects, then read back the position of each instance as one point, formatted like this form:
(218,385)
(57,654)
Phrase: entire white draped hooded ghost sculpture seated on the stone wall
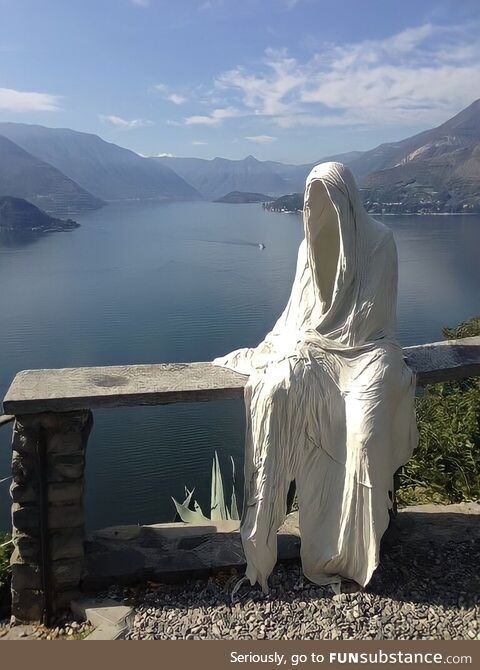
(329,399)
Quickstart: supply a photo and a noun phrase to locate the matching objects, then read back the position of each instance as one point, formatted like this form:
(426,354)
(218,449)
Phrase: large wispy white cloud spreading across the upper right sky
(420,75)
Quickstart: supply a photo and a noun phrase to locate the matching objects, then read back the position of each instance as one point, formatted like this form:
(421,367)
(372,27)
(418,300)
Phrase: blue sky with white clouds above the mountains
(288,80)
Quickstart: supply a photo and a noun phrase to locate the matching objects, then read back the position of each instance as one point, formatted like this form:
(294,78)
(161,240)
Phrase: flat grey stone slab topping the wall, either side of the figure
(70,389)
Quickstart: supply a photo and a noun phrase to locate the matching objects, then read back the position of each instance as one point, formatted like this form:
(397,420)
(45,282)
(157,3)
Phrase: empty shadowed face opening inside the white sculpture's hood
(323,239)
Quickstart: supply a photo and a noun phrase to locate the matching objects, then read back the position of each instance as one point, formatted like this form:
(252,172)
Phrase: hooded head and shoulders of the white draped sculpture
(349,294)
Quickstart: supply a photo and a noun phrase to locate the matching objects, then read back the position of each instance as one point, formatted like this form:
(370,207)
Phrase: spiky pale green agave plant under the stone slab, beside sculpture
(219,511)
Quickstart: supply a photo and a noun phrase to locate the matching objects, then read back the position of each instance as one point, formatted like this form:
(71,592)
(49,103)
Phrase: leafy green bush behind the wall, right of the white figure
(445,467)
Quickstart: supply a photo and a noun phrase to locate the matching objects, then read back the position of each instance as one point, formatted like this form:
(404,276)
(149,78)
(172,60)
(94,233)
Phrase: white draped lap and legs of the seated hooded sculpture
(326,422)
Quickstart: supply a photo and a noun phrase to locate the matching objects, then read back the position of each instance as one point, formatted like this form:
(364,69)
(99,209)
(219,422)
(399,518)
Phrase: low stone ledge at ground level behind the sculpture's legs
(172,552)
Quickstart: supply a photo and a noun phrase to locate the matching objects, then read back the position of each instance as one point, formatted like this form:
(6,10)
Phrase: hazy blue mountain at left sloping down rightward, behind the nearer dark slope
(108,171)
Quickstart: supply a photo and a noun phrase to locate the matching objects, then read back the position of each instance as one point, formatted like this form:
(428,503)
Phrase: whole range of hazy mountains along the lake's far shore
(437,170)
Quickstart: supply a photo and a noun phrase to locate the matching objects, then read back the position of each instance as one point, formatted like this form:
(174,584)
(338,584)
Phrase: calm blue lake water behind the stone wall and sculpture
(154,282)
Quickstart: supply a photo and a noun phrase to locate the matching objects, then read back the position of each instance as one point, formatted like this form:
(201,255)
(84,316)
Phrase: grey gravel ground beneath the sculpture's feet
(418,592)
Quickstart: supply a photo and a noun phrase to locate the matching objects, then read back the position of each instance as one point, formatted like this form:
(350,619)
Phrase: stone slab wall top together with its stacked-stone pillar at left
(53,418)
